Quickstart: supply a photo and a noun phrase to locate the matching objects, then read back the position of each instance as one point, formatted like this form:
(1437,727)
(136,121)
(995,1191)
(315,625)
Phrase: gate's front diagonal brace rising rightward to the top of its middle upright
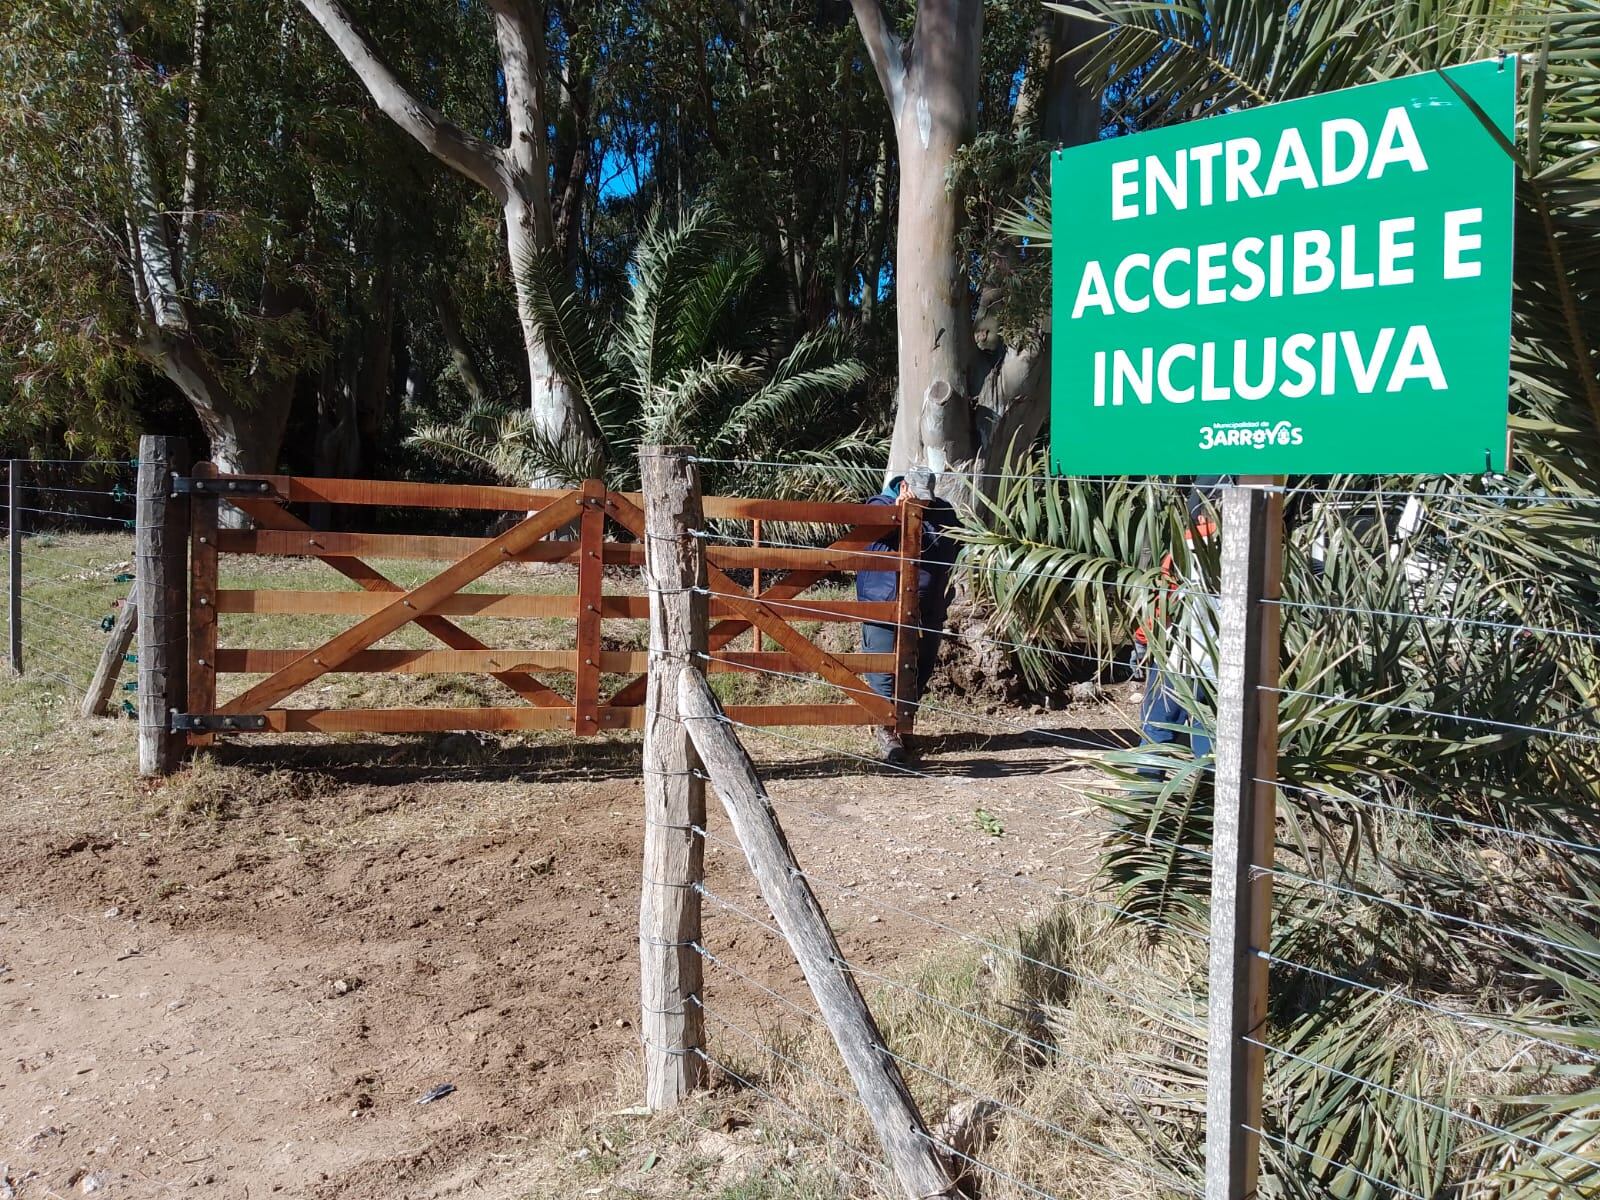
(404,610)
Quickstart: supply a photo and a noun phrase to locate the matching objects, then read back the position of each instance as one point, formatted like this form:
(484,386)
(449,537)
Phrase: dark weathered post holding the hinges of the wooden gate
(161,572)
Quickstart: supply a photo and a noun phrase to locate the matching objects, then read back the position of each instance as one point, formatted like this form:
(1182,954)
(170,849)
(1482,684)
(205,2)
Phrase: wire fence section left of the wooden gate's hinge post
(70,540)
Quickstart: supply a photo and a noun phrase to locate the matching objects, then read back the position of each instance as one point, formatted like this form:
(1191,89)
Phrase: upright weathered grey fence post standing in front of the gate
(670,908)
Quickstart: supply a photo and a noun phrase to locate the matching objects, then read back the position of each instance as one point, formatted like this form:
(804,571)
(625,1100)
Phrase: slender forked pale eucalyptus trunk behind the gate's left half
(516,175)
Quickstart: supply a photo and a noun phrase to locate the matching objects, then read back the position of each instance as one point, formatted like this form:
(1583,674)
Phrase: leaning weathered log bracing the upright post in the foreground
(884,1094)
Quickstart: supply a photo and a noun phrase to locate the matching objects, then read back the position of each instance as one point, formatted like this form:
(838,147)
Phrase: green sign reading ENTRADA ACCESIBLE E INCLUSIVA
(1311,287)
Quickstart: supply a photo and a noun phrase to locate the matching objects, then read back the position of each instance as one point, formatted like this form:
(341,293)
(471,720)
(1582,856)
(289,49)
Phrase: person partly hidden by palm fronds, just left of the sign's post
(1162,714)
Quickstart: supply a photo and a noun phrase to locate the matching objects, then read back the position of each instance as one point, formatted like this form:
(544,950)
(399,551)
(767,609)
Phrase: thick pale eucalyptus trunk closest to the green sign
(964,410)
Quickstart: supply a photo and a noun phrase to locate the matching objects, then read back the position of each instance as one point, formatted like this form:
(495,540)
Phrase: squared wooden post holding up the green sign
(1247,754)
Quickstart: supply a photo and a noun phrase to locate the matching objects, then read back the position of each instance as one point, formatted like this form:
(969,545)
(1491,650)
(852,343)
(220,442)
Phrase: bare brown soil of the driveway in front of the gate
(241,985)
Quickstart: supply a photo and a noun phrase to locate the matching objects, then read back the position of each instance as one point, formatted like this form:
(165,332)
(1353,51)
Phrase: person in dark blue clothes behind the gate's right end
(934,596)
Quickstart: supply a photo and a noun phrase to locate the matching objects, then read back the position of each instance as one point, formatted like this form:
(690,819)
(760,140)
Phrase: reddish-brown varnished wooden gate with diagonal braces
(586,527)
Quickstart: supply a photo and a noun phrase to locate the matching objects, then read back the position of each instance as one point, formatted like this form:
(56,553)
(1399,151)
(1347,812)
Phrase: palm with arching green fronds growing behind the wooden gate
(690,361)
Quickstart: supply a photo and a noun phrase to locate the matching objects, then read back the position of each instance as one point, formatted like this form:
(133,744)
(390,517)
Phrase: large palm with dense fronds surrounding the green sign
(1386,798)
